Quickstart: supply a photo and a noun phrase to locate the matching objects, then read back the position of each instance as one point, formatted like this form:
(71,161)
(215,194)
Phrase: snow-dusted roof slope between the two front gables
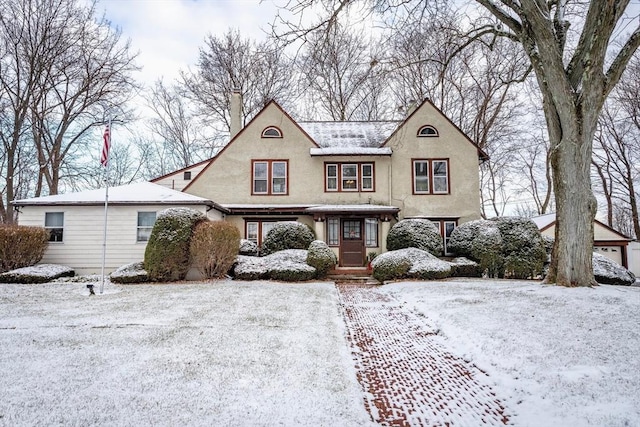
(349,135)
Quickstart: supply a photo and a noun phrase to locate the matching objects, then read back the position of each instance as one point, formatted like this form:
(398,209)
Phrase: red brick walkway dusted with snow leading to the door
(408,377)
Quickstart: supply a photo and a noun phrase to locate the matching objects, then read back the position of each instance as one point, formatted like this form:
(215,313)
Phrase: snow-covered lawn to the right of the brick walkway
(563,357)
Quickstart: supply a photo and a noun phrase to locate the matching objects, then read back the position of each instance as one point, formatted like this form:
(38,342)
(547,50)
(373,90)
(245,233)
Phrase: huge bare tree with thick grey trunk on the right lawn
(574,79)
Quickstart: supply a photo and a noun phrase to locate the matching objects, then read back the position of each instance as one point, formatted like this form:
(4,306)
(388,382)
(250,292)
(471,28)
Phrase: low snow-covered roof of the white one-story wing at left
(141,193)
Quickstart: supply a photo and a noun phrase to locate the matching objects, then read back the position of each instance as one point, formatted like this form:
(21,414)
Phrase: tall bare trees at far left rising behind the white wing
(61,68)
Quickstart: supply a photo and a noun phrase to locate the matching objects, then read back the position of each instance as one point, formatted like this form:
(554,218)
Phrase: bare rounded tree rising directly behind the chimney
(260,70)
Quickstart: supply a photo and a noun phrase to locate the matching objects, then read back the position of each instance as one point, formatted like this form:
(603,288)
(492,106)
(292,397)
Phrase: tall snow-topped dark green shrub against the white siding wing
(167,255)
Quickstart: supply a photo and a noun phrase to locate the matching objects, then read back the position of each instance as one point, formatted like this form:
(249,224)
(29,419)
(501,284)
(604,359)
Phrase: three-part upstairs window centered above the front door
(349,177)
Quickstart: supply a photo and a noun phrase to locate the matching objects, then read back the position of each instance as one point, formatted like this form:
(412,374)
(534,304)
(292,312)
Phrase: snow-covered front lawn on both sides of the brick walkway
(268,353)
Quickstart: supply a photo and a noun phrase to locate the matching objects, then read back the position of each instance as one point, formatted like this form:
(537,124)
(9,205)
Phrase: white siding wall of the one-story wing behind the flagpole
(82,243)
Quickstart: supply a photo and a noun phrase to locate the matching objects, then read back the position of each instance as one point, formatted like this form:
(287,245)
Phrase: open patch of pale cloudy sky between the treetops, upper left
(168,33)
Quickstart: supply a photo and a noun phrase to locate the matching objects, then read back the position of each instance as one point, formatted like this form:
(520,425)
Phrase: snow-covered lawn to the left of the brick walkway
(222,353)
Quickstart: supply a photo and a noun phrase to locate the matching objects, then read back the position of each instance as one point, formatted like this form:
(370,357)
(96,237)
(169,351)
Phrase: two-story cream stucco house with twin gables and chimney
(349,181)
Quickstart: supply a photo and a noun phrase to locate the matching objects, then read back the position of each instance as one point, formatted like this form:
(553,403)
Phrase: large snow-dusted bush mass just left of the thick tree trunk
(504,247)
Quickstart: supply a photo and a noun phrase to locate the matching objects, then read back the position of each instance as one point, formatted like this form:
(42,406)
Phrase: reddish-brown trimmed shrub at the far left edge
(21,246)
